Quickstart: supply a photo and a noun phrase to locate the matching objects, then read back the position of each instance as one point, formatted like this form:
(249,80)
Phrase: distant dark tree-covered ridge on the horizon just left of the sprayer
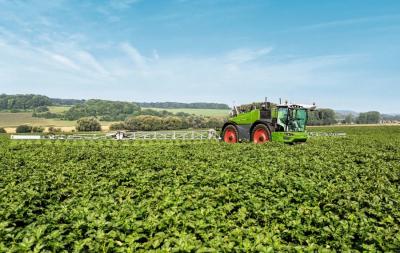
(173,105)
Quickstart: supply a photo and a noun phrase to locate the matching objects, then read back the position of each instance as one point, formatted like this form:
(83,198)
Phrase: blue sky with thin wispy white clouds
(342,54)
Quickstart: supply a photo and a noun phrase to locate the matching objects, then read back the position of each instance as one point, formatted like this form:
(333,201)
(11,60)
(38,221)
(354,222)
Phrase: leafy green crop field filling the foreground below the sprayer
(330,194)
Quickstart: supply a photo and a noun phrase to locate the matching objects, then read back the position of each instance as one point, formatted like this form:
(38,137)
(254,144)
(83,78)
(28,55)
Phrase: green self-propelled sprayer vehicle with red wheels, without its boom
(263,122)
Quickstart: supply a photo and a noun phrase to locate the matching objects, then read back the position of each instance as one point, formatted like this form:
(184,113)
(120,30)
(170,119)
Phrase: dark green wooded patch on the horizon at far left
(22,102)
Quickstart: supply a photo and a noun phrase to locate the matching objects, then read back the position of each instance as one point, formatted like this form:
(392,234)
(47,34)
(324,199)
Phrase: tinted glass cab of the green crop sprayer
(292,120)
